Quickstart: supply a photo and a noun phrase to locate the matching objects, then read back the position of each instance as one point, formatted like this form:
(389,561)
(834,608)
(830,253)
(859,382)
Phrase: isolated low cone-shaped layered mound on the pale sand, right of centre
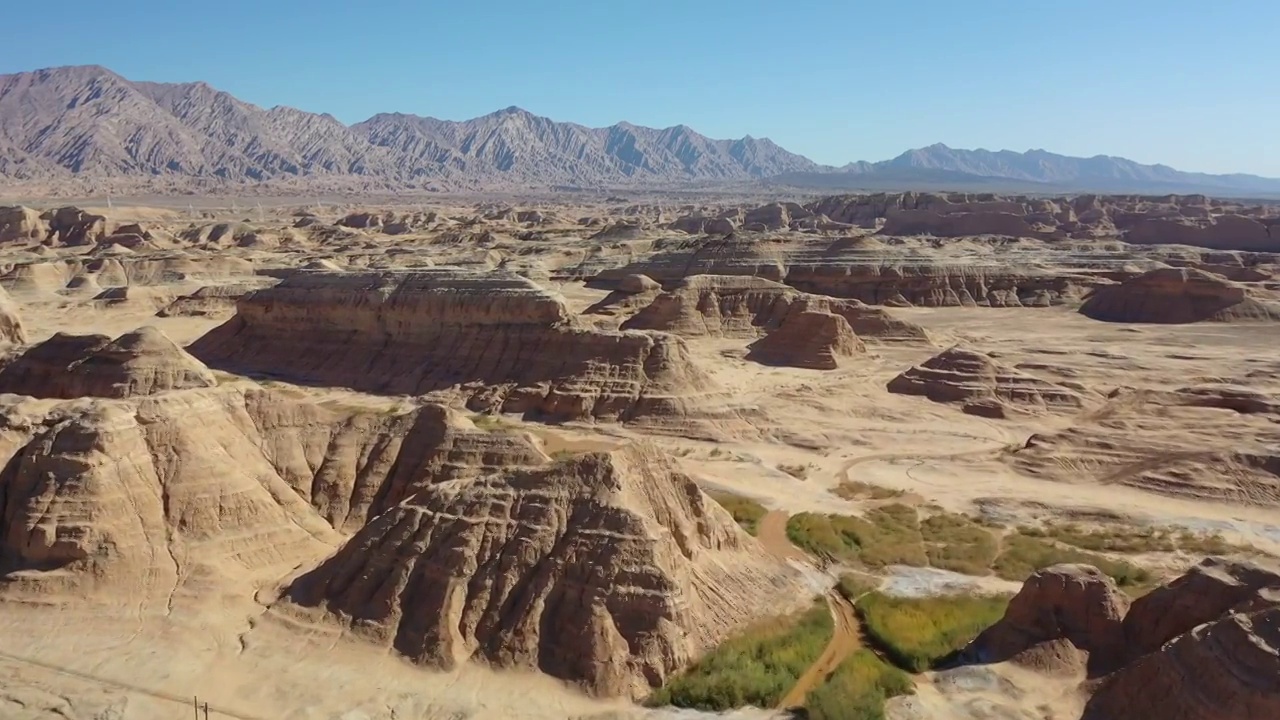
(982,385)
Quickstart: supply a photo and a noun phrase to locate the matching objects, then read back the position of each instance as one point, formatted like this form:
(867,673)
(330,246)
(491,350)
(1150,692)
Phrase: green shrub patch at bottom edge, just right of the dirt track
(858,690)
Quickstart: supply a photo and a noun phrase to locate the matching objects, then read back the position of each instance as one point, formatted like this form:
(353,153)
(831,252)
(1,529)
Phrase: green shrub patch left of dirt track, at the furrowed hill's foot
(757,668)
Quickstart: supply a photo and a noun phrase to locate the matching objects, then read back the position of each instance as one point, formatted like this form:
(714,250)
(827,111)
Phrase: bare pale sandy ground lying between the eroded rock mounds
(140,663)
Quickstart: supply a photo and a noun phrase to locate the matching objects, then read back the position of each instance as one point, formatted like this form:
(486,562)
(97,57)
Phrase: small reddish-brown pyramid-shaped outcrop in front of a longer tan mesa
(808,339)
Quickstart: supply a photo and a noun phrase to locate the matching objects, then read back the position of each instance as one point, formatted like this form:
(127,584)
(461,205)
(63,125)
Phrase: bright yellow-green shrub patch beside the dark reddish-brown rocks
(917,634)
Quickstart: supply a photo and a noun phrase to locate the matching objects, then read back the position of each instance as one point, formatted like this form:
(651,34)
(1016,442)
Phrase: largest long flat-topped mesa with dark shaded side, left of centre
(509,344)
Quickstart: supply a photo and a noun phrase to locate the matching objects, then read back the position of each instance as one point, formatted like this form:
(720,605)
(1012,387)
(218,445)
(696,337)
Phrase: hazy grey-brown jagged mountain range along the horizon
(89,124)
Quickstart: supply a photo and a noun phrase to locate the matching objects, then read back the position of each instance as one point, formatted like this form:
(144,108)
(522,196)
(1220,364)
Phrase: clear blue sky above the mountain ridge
(1191,84)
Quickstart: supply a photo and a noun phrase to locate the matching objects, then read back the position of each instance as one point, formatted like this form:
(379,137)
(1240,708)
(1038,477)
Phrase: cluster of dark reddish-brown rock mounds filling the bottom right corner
(1205,646)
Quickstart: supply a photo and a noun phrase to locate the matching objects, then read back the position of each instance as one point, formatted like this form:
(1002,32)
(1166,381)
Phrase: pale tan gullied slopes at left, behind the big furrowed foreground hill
(116,495)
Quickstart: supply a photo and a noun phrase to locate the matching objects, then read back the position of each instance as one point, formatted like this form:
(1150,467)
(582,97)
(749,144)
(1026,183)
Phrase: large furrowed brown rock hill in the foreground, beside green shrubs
(515,569)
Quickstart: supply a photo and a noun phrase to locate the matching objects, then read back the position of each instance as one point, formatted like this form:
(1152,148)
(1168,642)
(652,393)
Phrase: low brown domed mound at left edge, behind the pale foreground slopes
(143,362)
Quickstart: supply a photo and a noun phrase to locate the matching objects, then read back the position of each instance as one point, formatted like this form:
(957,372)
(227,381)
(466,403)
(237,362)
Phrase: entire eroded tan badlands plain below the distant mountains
(918,457)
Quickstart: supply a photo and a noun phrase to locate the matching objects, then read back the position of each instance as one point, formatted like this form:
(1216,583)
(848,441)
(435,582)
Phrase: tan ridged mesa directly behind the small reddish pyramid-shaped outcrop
(747,307)
